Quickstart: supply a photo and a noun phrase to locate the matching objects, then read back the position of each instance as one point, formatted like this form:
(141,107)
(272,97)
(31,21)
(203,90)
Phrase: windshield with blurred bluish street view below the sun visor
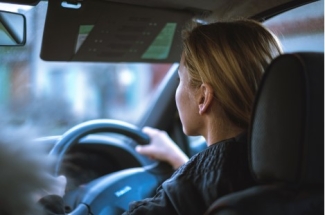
(54,96)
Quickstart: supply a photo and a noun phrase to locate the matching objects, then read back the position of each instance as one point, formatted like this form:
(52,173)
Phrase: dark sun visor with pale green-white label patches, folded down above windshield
(101,31)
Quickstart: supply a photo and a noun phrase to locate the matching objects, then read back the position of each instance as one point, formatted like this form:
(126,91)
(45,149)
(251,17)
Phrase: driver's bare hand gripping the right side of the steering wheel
(162,148)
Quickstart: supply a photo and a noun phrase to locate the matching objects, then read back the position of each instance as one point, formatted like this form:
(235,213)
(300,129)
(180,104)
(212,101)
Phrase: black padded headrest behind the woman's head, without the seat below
(286,138)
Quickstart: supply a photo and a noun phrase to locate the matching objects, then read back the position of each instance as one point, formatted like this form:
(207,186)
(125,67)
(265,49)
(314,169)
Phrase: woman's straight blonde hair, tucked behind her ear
(231,56)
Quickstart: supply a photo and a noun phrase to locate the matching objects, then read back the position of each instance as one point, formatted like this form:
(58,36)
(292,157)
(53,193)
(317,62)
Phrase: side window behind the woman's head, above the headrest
(300,29)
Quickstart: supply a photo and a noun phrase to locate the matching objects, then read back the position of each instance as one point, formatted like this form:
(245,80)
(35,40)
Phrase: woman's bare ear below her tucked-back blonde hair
(205,97)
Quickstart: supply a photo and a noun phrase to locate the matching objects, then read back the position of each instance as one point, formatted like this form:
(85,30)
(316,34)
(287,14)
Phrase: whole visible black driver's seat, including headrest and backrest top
(286,142)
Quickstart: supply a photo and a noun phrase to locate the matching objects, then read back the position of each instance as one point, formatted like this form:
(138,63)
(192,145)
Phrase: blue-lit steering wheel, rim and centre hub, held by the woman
(112,193)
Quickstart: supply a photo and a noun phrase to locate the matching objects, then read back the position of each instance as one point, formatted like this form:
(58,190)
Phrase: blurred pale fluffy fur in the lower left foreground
(25,172)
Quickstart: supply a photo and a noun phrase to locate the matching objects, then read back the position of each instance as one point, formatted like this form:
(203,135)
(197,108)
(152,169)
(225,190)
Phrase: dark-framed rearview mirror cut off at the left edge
(12,29)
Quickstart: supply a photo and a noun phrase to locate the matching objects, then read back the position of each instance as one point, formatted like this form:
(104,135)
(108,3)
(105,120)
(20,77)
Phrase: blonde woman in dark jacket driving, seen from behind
(221,66)
